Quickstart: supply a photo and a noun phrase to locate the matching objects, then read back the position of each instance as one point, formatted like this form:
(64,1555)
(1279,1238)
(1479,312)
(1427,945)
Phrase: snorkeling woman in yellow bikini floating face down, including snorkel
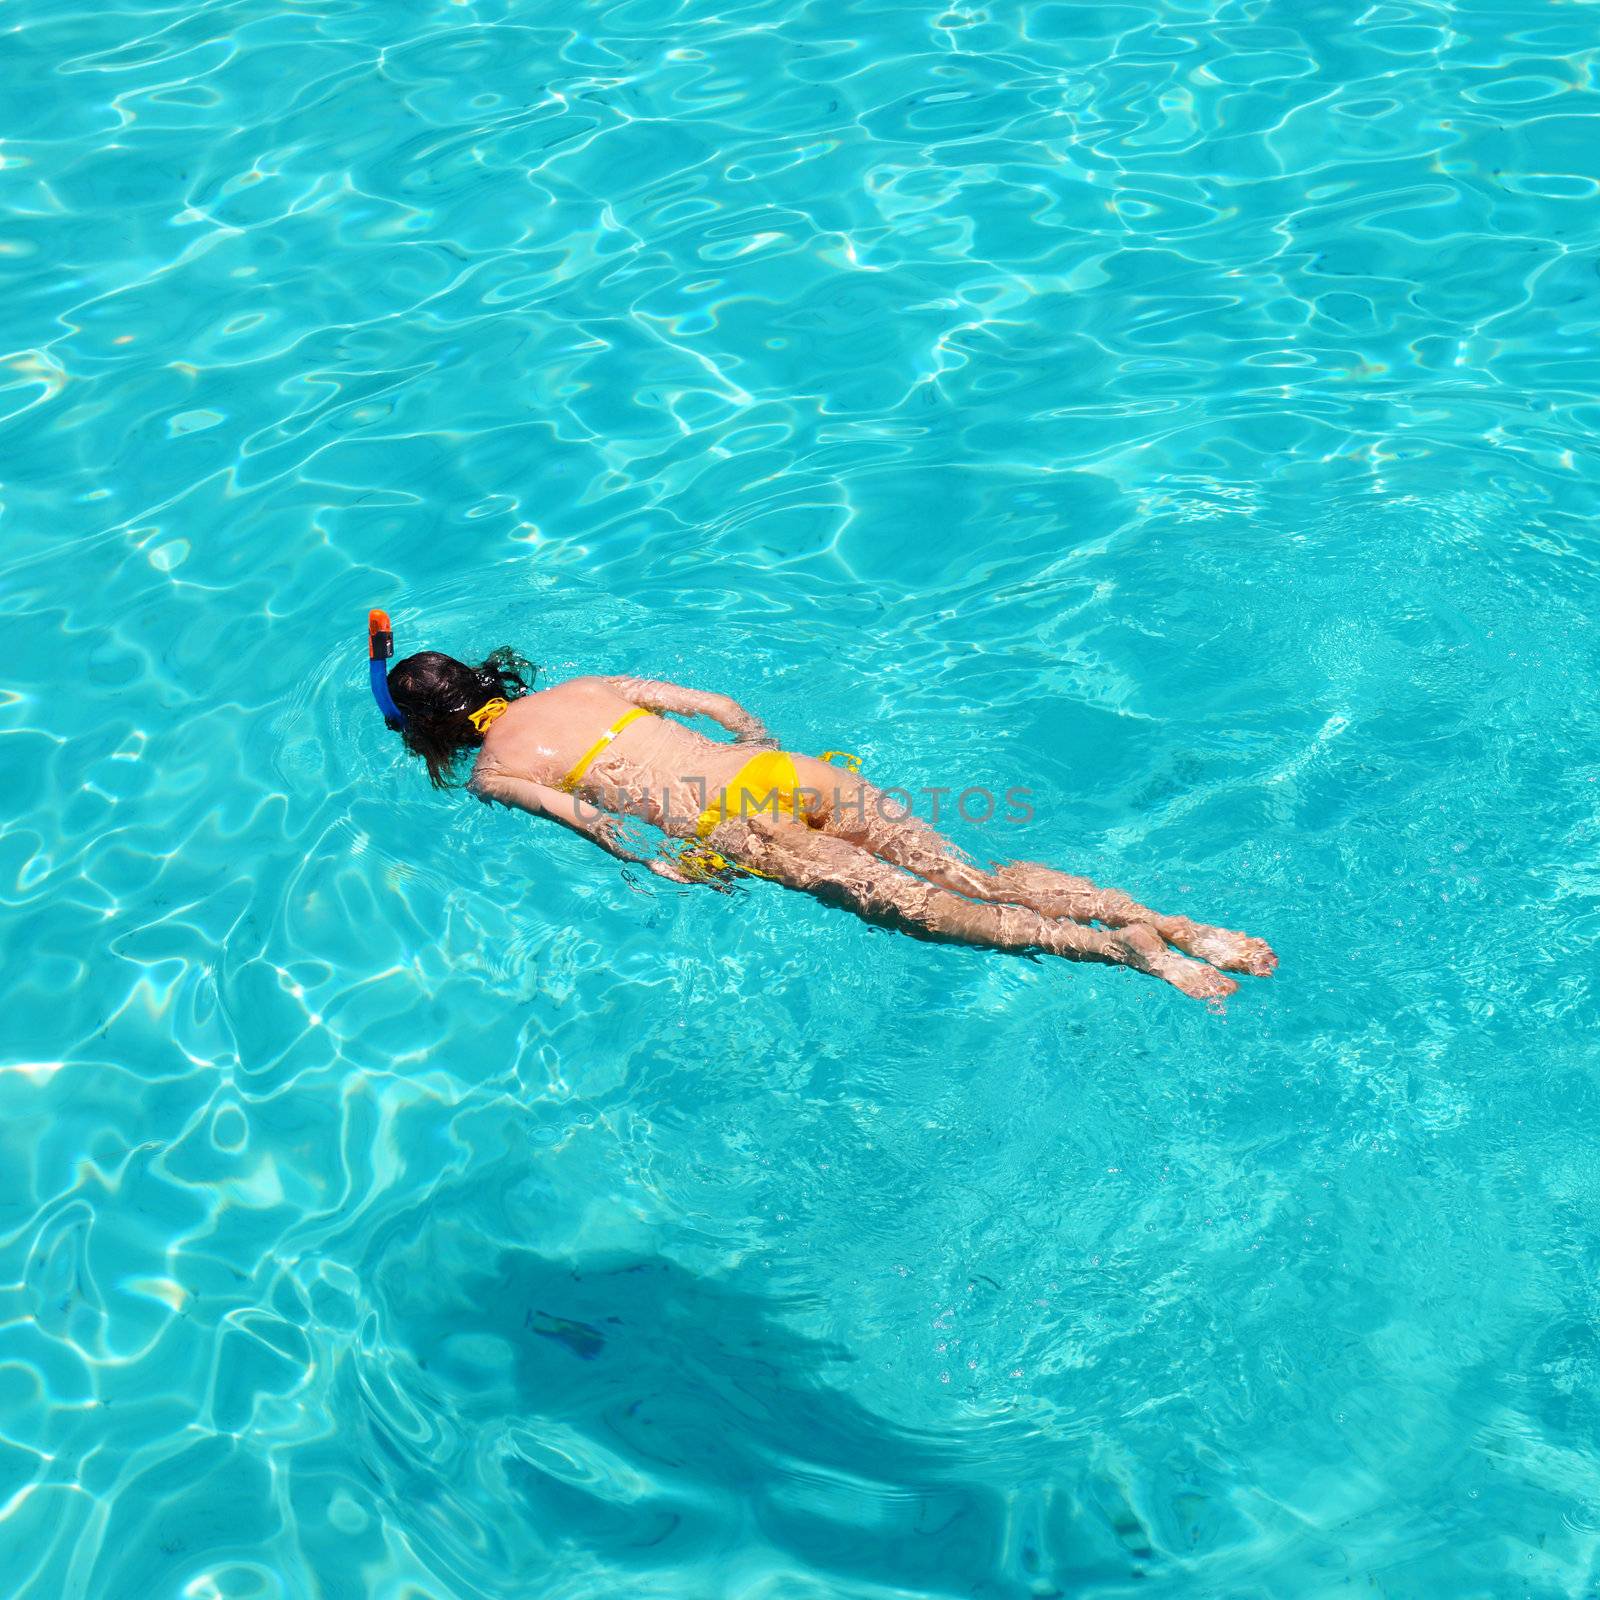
(596,750)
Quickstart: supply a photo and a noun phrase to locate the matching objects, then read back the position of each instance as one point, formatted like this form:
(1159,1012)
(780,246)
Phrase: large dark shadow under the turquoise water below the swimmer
(639,1418)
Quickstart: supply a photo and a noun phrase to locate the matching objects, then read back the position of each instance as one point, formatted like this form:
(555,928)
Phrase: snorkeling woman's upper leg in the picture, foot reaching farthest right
(868,818)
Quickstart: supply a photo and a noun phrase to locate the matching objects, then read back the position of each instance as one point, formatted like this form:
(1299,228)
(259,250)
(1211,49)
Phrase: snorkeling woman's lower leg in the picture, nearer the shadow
(842,874)
